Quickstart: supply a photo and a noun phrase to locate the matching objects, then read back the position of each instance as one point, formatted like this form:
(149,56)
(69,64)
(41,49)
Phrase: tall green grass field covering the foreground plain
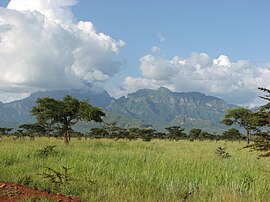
(109,170)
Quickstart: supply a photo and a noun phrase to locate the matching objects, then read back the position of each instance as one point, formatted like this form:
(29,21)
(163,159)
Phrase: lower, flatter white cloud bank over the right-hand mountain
(236,82)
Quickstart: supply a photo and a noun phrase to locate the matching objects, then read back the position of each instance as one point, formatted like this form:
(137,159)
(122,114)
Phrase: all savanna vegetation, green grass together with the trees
(138,164)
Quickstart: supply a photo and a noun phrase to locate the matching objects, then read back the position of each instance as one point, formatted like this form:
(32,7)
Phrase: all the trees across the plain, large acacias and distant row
(56,118)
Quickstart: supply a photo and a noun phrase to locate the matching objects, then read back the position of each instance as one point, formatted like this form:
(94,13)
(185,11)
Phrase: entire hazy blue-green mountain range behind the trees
(146,107)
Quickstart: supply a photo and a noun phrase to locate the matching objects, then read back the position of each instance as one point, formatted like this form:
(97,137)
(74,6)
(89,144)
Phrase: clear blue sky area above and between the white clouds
(239,29)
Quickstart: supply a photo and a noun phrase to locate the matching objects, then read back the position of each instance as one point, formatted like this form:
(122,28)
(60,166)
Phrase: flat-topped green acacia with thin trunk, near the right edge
(244,118)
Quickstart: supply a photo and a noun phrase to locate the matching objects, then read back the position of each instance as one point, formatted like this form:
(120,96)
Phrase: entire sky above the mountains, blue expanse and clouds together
(217,47)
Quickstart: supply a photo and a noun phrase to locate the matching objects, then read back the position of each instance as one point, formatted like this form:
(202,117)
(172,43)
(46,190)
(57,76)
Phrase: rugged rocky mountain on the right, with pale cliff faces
(161,108)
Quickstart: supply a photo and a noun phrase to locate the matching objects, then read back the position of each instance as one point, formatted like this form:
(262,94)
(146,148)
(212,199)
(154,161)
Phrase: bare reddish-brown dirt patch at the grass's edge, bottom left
(11,192)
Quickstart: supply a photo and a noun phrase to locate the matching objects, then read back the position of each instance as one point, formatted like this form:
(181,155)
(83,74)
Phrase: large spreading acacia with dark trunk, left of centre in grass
(65,113)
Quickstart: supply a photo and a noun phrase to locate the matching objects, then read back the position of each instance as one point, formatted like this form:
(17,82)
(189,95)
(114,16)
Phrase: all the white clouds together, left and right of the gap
(43,46)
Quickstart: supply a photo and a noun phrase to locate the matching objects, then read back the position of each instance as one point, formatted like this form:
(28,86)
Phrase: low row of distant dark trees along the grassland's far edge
(113,131)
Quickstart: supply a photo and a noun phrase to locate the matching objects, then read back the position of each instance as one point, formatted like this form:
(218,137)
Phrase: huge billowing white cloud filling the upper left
(43,46)
